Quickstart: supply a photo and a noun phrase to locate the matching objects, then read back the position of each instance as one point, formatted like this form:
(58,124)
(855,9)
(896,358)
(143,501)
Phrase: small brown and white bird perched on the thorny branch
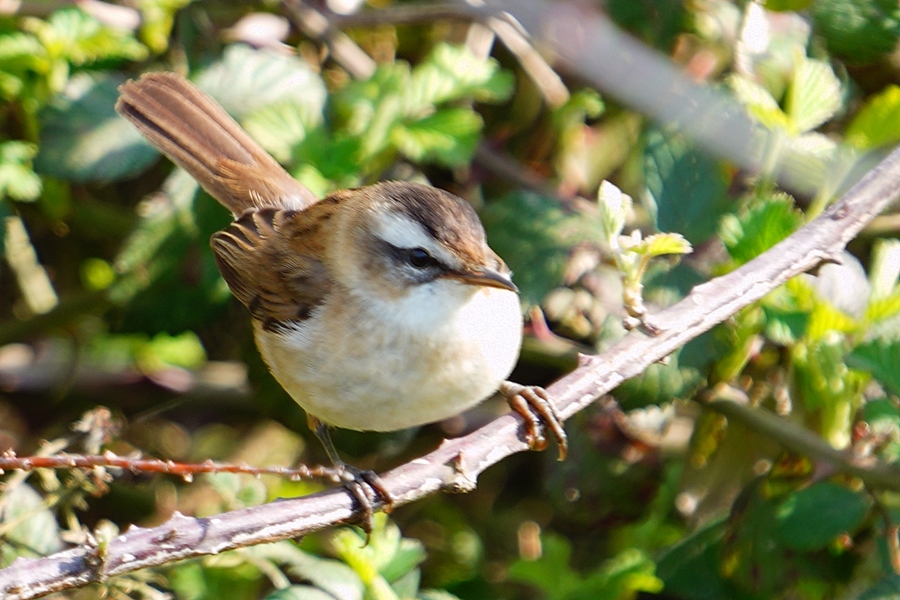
(377,308)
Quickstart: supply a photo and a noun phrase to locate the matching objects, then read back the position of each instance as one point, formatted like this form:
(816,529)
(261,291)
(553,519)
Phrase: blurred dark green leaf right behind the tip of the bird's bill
(535,236)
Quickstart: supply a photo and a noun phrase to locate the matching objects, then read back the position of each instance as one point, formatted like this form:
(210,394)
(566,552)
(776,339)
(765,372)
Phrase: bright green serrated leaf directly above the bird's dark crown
(448,137)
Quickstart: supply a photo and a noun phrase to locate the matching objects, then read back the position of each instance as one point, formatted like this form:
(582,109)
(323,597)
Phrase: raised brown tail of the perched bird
(196,133)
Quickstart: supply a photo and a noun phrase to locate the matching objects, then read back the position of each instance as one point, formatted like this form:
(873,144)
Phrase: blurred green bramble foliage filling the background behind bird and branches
(109,297)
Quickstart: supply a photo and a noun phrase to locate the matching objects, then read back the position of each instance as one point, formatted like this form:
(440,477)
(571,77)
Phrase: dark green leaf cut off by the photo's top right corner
(861,31)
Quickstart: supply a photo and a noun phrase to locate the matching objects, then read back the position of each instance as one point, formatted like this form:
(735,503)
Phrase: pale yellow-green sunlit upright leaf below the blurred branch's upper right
(814,95)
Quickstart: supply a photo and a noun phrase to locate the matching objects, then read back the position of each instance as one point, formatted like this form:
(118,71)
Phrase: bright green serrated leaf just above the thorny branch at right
(750,234)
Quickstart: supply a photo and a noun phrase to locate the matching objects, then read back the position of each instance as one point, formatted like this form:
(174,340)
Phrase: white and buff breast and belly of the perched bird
(383,366)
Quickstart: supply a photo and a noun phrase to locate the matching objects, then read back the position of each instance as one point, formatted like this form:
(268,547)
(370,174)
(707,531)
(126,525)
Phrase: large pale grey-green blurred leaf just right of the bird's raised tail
(247,79)
